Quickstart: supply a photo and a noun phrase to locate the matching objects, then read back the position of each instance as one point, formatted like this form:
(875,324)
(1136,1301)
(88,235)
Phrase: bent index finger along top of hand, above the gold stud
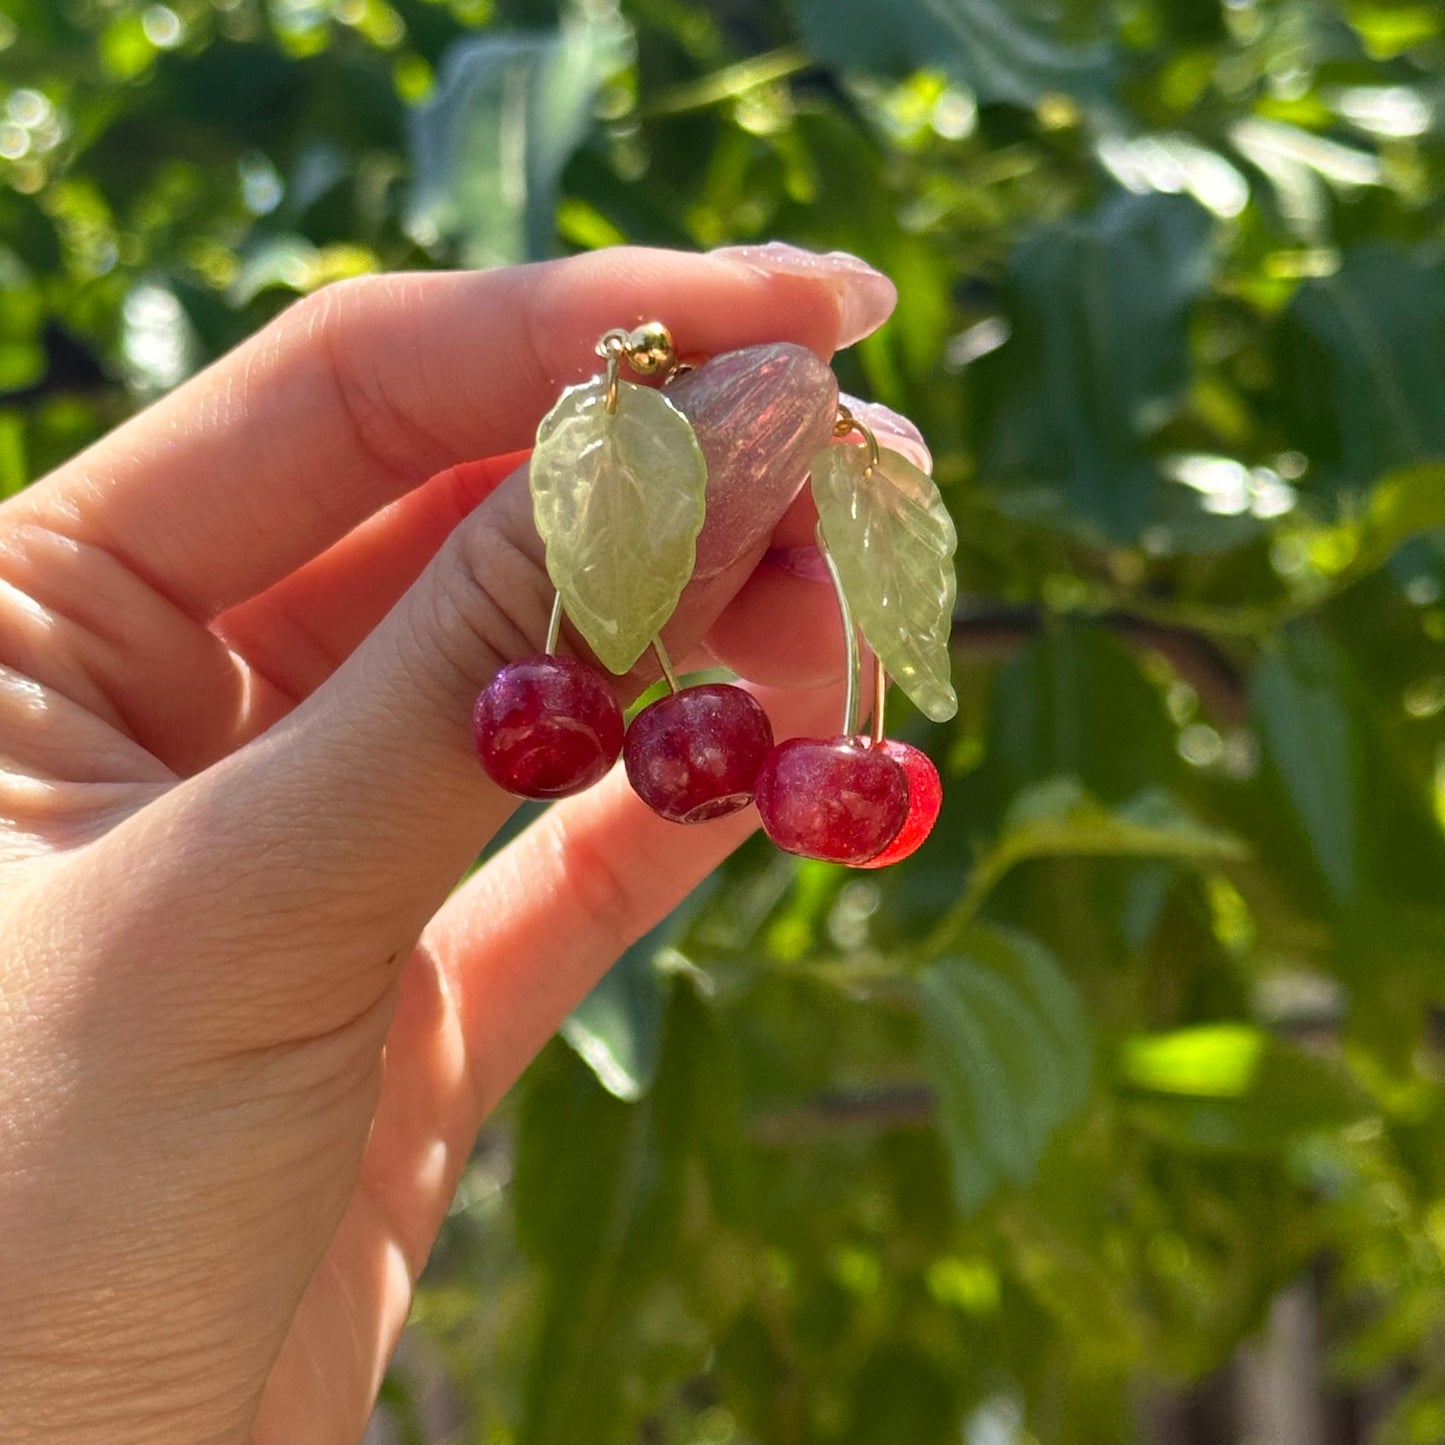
(366,389)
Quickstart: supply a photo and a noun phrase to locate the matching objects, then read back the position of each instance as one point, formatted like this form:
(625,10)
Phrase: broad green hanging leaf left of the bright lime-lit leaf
(1006,1047)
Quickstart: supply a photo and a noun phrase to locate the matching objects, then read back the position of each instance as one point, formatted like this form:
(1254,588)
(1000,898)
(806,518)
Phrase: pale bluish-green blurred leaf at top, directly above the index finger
(489,150)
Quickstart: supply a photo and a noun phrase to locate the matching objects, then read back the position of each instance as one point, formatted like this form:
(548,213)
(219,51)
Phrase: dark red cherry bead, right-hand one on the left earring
(694,755)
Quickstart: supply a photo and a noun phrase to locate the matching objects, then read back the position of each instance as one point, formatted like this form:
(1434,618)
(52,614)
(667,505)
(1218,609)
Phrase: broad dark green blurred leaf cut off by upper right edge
(1362,358)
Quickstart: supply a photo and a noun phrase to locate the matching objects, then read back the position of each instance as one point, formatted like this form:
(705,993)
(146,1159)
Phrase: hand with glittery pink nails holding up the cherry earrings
(249,1037)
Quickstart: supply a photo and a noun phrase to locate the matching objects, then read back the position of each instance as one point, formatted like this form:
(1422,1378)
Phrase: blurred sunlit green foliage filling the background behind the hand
(1040,1122)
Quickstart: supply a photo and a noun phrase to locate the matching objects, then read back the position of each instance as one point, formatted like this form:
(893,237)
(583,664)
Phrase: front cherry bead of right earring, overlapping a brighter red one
(832,798)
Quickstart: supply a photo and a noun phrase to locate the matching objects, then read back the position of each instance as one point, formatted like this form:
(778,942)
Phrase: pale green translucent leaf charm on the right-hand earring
(894,544)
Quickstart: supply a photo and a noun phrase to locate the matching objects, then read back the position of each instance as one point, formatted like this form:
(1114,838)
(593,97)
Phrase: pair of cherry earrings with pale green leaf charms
(619,498)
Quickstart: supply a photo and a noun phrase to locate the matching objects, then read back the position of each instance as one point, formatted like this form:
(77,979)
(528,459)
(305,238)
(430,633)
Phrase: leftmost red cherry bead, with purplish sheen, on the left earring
(547,728)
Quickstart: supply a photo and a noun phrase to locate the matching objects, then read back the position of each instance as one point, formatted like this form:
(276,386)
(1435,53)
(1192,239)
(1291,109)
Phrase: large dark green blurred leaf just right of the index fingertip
(1097,363)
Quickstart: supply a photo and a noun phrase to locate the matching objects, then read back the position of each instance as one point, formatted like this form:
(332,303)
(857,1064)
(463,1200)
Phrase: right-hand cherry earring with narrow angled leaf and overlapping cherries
(888,543)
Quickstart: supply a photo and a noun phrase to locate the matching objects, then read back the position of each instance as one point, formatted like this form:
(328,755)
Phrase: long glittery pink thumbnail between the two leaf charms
(761,414)
